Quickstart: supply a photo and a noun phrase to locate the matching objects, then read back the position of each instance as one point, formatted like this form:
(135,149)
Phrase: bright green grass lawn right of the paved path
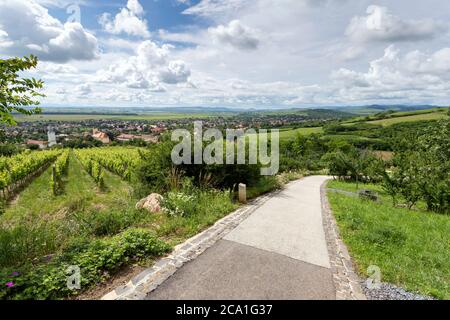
(412,248)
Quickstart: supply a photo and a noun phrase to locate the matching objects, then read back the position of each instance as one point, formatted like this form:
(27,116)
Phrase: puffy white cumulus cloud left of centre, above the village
(149,68)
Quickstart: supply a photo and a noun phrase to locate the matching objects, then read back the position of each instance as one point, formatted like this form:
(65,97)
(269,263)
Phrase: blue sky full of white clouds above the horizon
(233,53)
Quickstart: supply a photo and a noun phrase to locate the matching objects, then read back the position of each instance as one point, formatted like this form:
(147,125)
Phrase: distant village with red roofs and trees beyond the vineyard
(96,132)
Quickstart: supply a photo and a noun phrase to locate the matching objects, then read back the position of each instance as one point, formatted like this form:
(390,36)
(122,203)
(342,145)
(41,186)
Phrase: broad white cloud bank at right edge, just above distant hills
(396,76)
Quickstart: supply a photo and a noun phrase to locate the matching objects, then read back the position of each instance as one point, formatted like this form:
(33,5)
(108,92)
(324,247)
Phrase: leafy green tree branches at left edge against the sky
(16,92)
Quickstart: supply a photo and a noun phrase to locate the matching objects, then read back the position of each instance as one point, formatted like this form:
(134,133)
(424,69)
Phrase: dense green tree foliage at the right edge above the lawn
(421,168)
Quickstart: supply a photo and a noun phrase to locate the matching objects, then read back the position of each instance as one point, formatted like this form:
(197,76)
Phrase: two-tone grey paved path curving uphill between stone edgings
(279,252)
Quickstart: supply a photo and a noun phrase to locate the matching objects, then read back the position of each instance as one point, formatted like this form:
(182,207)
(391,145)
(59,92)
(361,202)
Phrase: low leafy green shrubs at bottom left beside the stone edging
(95,260)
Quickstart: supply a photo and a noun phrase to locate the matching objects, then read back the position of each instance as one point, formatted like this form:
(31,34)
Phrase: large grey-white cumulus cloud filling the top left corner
(30,29)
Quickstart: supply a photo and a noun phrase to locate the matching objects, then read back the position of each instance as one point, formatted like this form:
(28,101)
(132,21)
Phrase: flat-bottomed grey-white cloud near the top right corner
(381,25)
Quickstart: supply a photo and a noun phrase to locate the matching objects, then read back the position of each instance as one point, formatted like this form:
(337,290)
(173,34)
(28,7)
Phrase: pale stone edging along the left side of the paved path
(148,280)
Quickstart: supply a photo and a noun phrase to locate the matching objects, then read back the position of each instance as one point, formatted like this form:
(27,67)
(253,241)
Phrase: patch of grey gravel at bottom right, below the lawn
(390,292)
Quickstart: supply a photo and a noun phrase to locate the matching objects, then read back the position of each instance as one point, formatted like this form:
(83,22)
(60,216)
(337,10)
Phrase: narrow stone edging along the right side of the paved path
(345,279)
